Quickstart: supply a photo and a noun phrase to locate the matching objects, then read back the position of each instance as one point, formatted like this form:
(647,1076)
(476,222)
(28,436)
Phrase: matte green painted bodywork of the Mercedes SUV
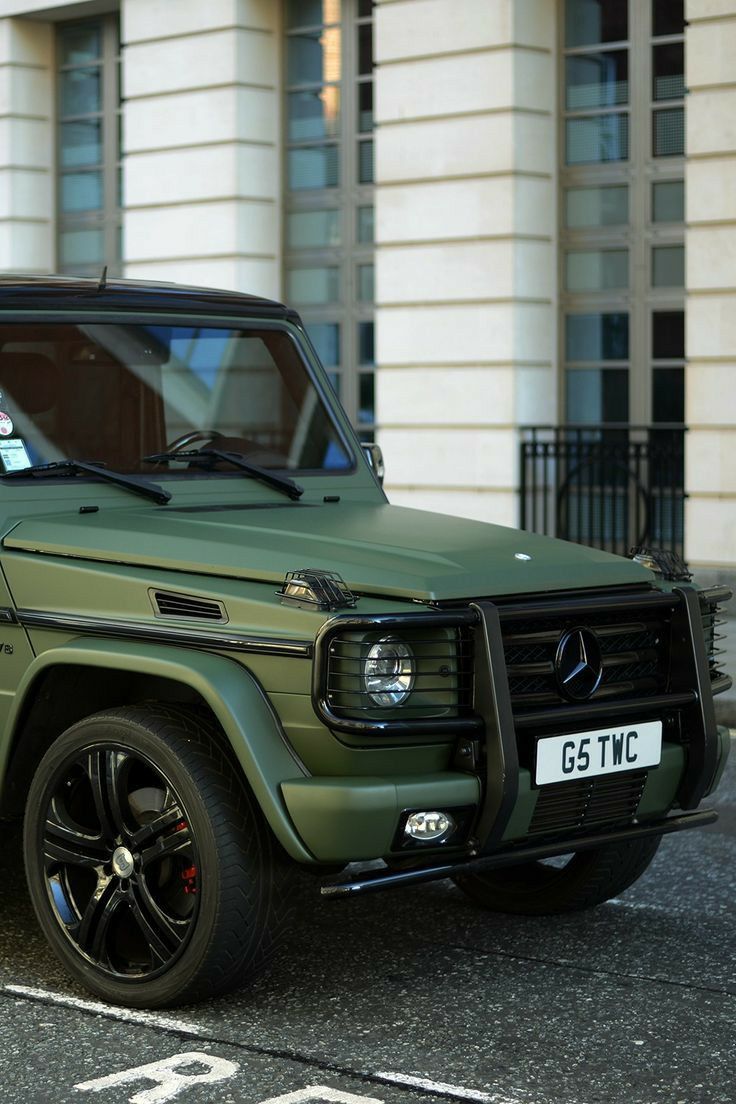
(103,565)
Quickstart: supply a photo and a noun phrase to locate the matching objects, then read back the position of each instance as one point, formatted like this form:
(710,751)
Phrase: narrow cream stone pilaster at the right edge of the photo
(711,284)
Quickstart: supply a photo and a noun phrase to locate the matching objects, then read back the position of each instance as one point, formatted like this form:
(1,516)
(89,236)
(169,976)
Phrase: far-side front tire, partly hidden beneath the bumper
(543,889)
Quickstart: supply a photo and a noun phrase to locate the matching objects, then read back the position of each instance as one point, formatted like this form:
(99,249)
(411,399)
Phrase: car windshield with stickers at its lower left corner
(118,394)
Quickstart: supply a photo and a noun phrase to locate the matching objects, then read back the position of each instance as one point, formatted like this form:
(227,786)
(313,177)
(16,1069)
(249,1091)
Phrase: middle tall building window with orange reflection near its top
(328,226)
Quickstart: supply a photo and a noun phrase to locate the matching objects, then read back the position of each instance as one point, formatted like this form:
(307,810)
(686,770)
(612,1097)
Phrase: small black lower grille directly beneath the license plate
(588,804)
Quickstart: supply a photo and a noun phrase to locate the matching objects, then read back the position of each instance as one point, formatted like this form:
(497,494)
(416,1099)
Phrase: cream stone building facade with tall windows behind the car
(492,214)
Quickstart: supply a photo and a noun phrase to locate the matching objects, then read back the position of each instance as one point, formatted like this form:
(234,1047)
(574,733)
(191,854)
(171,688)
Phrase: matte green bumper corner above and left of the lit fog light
(349,820)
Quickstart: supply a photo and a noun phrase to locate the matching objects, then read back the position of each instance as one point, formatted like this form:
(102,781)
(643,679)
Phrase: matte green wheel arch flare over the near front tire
(233,695)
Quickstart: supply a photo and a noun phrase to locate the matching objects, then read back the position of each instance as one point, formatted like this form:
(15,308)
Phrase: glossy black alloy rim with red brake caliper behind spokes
(121,865)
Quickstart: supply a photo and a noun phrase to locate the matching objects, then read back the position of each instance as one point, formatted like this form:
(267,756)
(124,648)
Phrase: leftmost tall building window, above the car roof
(89,147)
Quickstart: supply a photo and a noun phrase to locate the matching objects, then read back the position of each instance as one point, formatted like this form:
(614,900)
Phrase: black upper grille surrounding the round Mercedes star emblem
(634,649)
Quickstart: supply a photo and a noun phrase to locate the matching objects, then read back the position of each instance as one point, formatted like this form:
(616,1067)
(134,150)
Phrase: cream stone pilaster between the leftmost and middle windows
(202,142)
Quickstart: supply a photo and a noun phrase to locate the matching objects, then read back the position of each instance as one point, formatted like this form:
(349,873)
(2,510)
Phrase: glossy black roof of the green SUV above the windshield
(78,293)
